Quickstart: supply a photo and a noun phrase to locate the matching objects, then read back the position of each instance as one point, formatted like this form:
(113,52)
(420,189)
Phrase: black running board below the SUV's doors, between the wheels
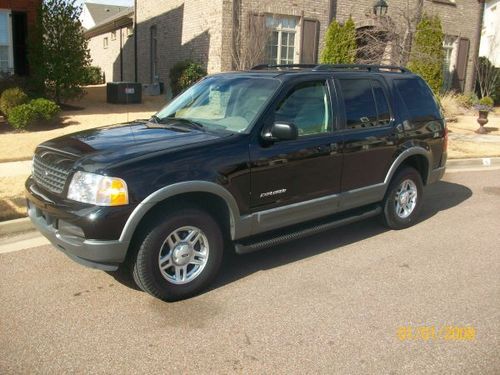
(250,245)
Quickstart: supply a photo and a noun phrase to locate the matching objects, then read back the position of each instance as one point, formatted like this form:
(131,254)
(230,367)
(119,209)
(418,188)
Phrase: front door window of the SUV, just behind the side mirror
(307,107)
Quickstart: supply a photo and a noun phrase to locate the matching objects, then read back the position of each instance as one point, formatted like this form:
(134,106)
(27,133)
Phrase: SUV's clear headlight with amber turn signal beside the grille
(97,189)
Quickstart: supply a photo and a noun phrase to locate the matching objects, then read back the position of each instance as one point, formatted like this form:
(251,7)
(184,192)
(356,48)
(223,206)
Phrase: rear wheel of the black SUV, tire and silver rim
(403,200)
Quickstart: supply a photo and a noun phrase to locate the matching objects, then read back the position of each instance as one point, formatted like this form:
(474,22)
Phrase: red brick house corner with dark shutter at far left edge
(17,18)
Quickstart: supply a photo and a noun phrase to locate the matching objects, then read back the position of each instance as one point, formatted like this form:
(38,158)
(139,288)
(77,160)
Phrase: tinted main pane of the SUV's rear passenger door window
(360,108)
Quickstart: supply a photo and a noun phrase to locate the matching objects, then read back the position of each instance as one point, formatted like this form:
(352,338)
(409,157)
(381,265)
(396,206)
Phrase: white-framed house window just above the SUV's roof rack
(281,45)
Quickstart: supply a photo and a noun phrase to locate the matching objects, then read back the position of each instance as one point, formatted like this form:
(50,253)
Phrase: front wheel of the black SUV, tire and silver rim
(173,242)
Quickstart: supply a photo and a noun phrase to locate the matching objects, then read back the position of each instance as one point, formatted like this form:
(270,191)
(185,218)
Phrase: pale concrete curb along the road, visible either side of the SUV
(24,224)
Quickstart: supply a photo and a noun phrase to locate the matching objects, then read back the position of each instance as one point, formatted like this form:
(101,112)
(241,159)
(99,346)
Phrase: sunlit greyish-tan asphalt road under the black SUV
(332,303)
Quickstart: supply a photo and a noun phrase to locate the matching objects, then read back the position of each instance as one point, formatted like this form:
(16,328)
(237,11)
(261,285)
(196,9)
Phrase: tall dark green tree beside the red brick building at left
(59,56)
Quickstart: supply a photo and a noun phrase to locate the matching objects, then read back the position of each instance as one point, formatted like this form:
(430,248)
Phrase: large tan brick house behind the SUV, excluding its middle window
(168,31)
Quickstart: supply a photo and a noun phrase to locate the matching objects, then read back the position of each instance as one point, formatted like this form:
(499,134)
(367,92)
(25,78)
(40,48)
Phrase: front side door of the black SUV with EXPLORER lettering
(297,171)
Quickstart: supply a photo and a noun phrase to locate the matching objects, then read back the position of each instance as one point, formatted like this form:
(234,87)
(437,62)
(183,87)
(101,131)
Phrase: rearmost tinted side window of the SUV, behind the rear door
(418,98)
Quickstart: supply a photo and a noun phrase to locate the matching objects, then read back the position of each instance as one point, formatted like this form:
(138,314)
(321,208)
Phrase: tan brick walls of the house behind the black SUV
(203,29)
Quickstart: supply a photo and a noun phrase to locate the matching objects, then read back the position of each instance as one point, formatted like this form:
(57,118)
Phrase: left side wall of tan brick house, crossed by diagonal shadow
(190,29)
